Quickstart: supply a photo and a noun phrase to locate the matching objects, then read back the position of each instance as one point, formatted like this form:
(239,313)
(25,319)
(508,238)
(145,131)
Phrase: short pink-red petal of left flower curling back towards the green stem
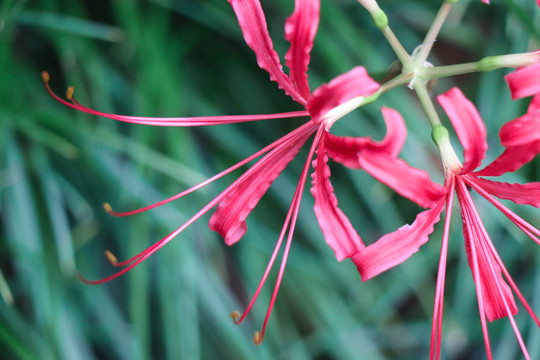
(347,86)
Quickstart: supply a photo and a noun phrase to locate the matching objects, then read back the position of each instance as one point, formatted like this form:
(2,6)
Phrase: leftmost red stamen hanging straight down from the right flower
(436,329)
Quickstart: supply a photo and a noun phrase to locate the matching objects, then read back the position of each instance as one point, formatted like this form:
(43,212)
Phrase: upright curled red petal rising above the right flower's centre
(469,127)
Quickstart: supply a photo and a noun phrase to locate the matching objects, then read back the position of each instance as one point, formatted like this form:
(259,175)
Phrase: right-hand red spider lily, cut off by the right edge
(495,299)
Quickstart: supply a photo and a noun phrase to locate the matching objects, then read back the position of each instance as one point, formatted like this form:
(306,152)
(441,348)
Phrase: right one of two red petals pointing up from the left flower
(300,30)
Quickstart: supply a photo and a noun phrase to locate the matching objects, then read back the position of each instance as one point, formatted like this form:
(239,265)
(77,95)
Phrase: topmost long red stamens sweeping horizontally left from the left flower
(161,121)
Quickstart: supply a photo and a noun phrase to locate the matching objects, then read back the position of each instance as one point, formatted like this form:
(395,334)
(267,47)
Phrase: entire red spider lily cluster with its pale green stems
(330,102)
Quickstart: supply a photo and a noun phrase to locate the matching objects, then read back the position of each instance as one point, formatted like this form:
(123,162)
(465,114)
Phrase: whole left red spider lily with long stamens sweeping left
(325,105)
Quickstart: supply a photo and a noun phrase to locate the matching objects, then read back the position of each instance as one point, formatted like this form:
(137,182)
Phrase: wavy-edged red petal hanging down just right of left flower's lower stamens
(336,227)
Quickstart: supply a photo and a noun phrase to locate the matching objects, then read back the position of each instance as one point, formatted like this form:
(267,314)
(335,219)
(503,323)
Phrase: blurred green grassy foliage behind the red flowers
(188,58)
